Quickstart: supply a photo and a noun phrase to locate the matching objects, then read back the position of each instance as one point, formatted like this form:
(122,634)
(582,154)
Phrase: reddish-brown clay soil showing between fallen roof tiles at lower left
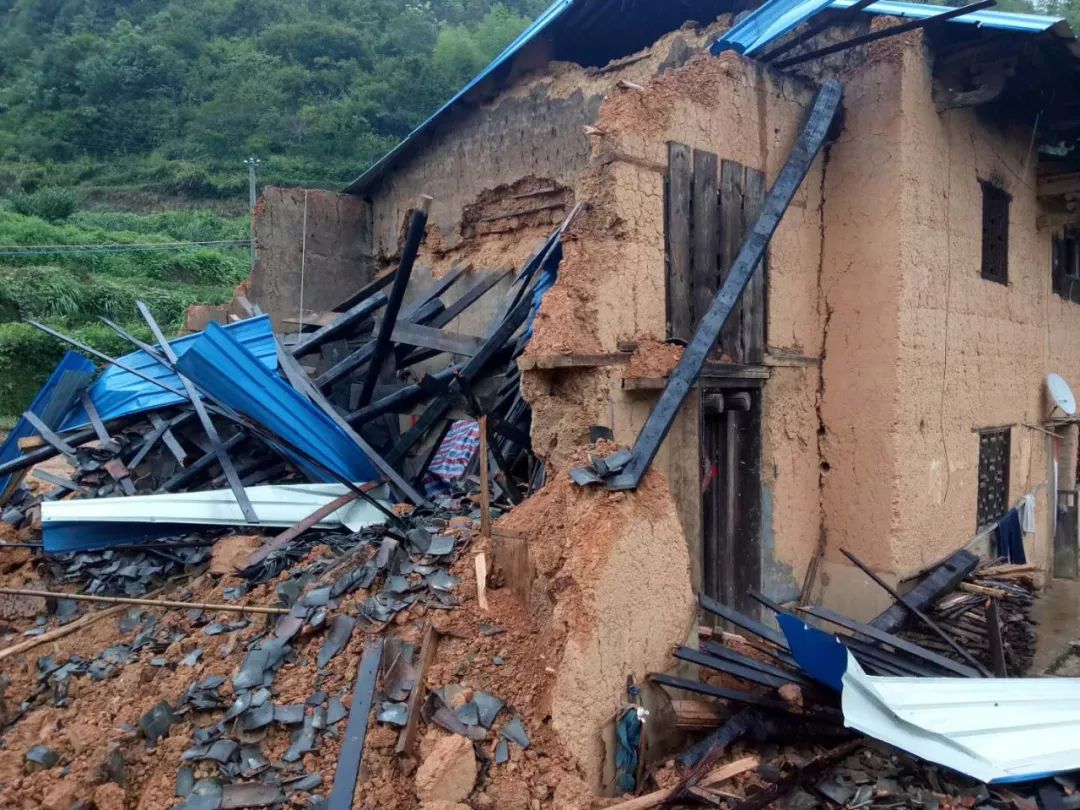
(100,715)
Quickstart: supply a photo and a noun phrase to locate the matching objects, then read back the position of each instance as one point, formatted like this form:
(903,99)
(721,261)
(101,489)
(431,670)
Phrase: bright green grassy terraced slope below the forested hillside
(72,292)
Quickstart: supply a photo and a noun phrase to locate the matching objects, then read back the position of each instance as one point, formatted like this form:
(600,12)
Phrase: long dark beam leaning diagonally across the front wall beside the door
(750,255)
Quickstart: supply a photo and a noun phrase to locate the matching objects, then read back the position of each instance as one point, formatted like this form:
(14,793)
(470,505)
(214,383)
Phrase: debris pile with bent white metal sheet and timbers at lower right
(785,708)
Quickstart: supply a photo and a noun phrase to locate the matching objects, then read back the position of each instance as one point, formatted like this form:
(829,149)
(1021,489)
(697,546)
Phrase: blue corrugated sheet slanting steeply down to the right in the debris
(233,375)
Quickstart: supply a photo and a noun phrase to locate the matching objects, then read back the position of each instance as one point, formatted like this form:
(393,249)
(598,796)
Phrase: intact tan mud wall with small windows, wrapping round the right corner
(921,350)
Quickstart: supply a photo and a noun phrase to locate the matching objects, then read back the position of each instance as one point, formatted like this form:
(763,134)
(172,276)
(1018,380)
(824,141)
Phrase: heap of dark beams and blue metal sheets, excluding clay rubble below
(245,418)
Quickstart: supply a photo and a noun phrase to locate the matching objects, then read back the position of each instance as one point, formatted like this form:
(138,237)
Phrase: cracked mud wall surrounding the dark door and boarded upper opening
(612,290)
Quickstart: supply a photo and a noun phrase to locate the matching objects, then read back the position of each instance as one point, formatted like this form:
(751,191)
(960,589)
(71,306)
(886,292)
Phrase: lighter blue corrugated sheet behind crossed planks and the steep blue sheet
(119,394)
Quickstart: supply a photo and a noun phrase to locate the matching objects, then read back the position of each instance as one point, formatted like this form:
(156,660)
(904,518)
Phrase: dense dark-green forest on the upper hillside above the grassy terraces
(174,94)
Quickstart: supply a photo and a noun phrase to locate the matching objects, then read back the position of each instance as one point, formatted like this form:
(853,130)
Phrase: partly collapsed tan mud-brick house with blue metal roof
(880,386)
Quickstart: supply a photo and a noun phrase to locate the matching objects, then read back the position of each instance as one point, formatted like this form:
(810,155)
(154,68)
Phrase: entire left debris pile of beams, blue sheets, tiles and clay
(224,672)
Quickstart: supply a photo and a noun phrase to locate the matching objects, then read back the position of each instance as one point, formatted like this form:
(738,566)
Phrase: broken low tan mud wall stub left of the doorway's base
(612,580)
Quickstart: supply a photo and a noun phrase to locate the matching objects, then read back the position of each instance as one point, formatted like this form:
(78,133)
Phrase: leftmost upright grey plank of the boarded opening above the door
(678,232)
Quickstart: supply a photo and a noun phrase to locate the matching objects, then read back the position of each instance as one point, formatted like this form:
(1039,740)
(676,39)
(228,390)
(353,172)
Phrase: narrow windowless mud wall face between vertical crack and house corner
(860,288)
